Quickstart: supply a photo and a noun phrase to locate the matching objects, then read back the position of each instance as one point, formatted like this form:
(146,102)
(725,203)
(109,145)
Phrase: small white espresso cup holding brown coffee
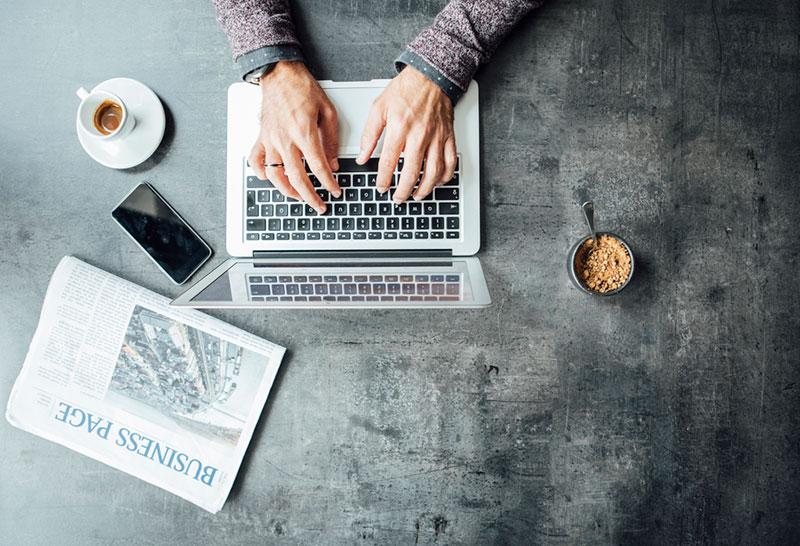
(103,115)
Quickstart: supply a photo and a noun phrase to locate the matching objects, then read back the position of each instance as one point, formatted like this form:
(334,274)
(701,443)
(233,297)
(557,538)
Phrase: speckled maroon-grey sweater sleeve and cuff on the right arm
(462,37)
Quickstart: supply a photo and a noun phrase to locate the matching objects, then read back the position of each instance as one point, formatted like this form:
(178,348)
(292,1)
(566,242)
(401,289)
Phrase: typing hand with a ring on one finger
(297,120)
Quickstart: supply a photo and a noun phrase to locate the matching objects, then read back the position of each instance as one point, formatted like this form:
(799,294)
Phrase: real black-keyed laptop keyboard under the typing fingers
(360,213)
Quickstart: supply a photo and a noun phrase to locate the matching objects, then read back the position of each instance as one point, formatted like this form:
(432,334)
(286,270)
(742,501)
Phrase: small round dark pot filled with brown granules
(606,268)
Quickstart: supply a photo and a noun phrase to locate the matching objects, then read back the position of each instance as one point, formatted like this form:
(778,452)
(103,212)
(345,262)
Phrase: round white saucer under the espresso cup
(136,147)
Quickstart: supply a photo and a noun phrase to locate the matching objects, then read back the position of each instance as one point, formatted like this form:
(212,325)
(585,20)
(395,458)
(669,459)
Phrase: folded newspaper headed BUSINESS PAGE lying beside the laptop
(168,395)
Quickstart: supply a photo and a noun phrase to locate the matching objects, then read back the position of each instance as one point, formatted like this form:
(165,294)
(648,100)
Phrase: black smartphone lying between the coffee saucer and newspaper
(154,225)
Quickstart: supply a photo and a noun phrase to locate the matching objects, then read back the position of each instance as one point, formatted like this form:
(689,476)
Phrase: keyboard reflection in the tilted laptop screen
(354,288)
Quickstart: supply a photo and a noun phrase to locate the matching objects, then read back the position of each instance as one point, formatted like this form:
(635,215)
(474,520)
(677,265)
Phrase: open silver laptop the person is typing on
(365,251)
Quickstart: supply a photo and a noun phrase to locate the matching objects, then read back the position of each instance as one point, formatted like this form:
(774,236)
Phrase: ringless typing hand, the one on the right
(418,119)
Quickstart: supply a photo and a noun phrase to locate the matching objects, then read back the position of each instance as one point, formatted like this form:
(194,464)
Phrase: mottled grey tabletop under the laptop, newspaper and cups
(666,415)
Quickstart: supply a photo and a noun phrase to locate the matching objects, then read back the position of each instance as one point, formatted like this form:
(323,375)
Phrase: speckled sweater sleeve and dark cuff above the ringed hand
(260,32)
